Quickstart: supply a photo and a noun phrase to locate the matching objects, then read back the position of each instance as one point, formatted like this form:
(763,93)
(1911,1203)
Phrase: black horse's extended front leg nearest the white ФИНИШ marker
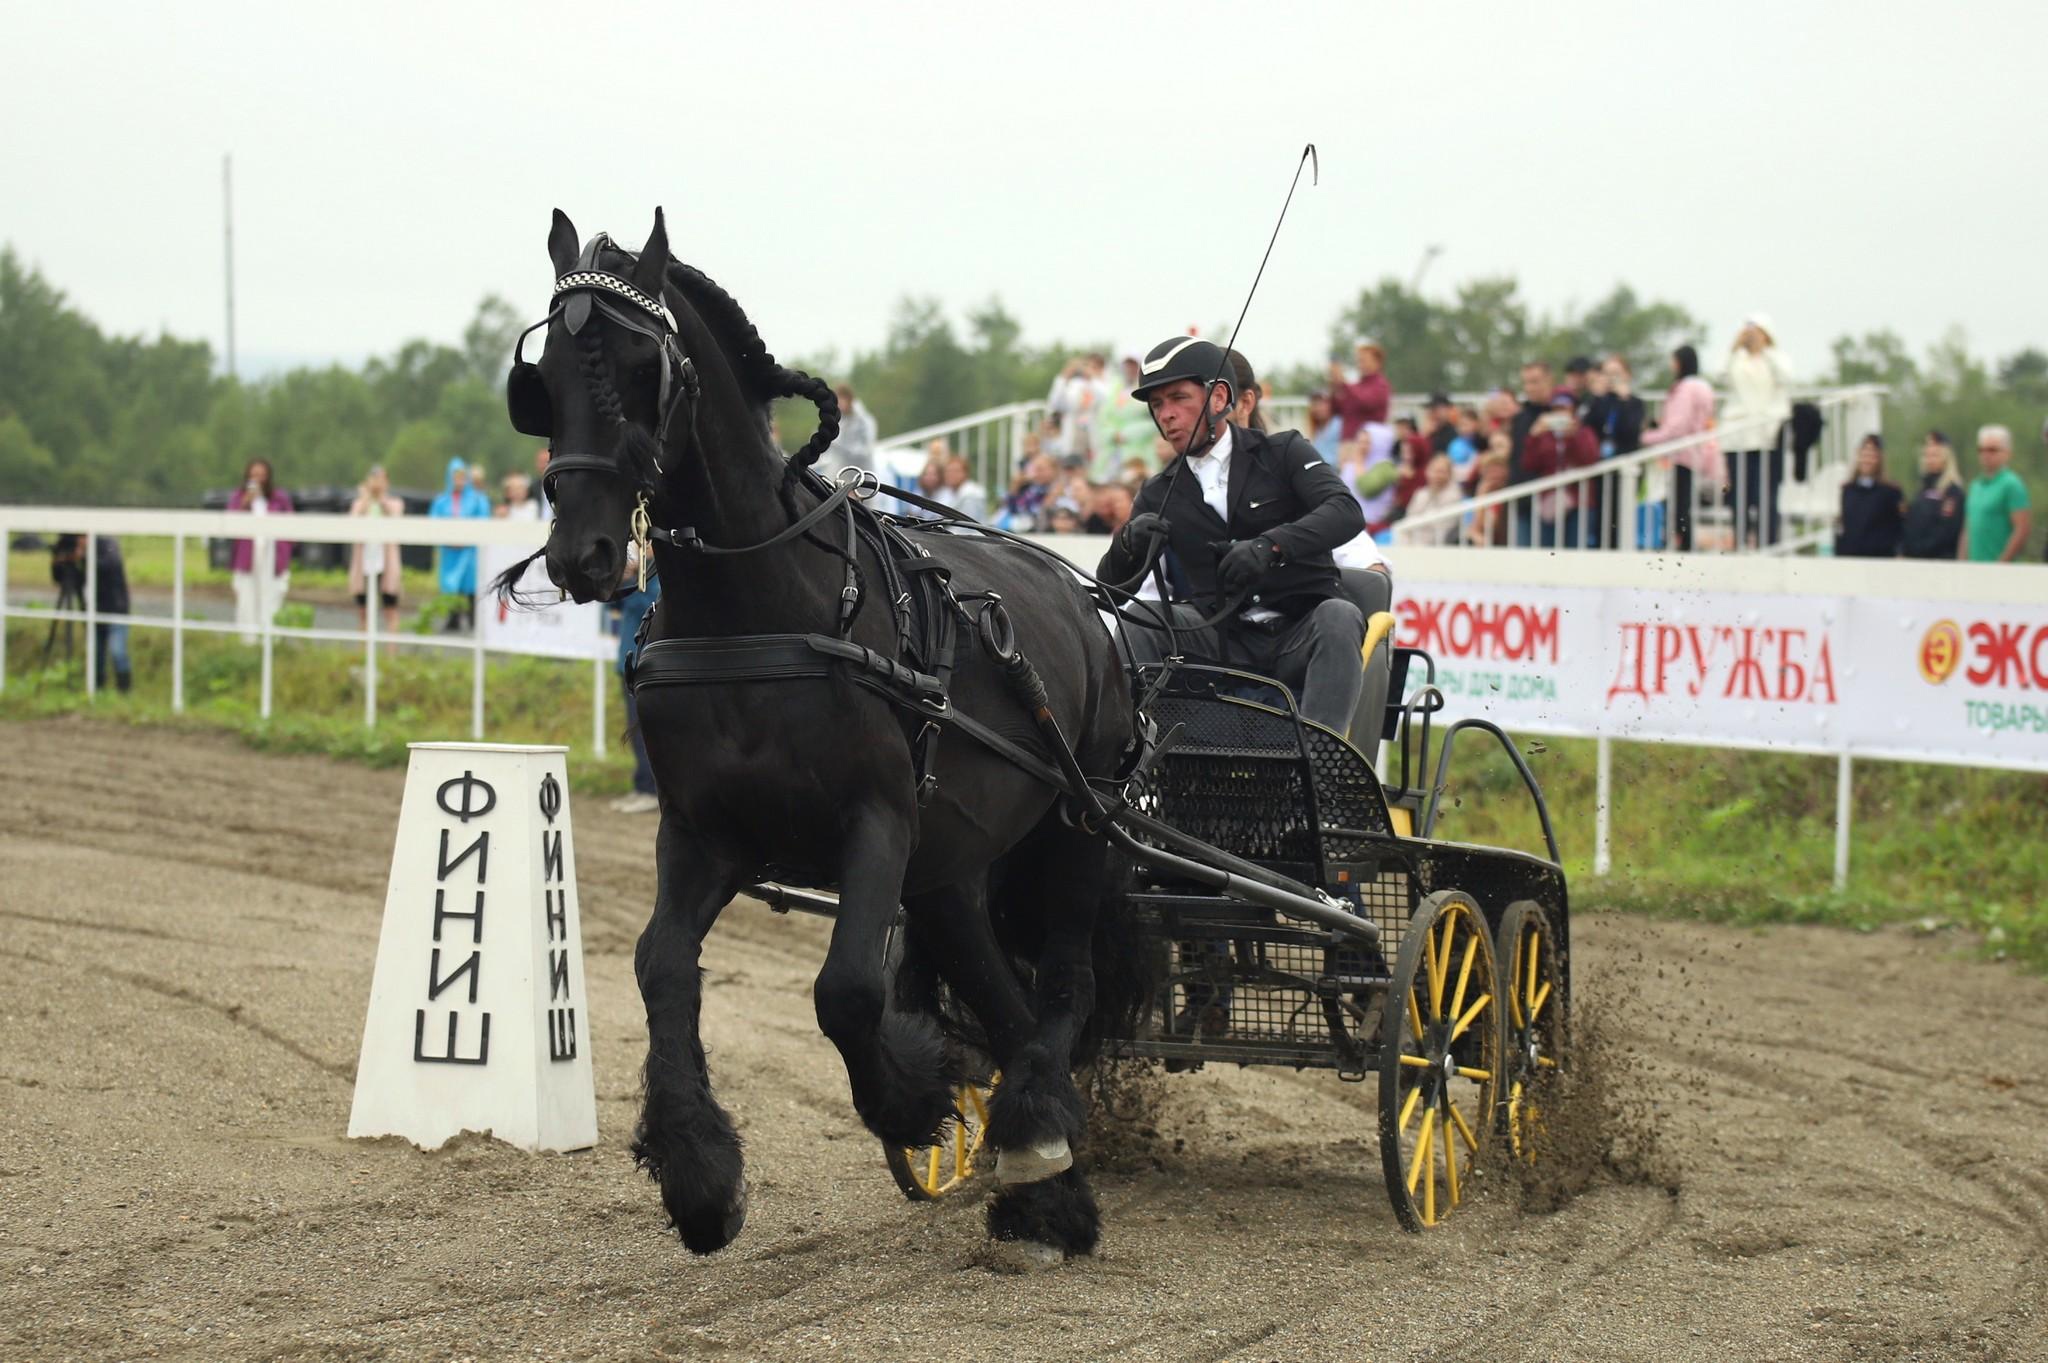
(685,1139)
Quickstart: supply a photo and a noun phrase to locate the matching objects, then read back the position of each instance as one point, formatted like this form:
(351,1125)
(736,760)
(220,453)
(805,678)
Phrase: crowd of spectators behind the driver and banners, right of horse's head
(1422,480)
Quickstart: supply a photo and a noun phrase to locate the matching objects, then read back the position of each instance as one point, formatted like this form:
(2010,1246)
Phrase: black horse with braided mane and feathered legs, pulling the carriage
(663,402)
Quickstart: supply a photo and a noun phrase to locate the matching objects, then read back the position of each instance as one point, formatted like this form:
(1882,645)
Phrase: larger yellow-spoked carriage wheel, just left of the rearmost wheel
(1441,1059)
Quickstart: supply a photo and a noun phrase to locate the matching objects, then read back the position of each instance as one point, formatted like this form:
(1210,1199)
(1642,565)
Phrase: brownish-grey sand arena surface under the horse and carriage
(1854,1129)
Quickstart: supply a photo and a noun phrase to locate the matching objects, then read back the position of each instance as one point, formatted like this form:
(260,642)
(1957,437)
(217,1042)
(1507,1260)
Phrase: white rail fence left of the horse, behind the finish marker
(185,527)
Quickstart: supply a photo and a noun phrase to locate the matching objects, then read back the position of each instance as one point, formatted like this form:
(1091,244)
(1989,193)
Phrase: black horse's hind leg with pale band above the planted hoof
(1037,1114)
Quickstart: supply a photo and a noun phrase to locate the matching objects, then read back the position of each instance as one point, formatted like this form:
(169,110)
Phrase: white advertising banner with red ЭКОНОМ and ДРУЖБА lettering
(1873,676)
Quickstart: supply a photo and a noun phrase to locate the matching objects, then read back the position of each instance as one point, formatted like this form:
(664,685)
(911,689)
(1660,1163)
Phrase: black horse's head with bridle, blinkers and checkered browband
(609,384)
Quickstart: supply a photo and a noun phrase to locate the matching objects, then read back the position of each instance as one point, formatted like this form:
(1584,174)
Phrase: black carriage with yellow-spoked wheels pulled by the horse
(1351,938)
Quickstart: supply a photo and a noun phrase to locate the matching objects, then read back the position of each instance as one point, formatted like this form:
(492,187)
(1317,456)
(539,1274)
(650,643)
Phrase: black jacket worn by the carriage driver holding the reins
(1279,488)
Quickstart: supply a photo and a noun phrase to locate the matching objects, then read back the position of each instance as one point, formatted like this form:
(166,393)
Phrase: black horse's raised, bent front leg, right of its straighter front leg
(898,1063)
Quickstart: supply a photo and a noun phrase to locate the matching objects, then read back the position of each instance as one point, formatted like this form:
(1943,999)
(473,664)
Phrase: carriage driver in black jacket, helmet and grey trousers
(1248,527)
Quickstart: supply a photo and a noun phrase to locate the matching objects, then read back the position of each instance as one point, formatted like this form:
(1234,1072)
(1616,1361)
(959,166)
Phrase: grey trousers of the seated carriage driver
(1318,656)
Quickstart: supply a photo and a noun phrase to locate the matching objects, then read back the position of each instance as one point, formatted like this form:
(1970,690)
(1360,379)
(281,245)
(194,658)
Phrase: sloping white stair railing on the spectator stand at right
(1633,504)
